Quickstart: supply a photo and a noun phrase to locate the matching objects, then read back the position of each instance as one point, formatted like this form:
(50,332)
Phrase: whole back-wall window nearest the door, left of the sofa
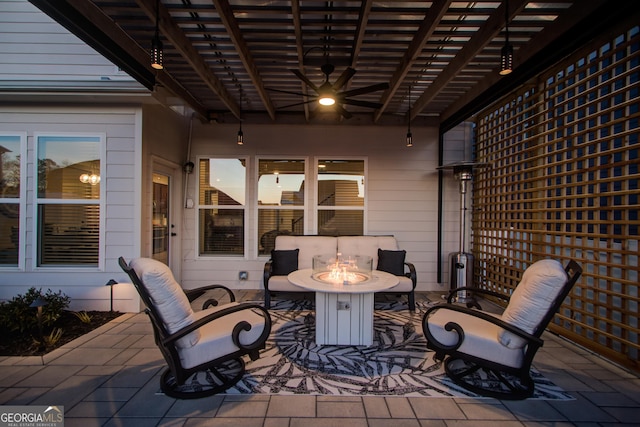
(221,206)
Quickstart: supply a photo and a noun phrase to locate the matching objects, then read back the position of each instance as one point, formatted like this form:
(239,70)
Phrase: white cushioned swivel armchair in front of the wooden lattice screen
(501,346)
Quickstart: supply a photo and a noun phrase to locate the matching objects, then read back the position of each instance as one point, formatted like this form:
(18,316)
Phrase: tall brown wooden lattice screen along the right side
(563,183)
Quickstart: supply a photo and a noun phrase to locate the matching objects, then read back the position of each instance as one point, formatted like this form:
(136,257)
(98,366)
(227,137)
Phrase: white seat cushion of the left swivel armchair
(215,337)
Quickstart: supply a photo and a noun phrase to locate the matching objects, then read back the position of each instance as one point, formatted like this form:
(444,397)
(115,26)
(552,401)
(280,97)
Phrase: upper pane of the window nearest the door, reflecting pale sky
(222,182)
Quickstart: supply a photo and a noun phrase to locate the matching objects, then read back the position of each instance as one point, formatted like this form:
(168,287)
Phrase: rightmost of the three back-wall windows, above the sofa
(340,197)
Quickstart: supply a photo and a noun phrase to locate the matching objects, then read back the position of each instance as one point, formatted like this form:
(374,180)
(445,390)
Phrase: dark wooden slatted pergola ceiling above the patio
(224,57)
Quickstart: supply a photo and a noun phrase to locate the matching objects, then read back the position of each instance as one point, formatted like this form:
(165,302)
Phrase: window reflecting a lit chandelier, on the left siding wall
(68,200)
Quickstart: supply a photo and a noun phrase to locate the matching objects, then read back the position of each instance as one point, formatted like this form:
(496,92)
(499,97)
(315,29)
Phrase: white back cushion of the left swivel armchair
(170,301)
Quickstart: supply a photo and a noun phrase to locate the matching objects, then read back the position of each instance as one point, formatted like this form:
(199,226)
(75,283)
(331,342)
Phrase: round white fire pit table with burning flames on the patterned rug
(344,300)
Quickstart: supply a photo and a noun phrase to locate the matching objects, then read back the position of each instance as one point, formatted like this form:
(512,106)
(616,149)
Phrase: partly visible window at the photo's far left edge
(10,188)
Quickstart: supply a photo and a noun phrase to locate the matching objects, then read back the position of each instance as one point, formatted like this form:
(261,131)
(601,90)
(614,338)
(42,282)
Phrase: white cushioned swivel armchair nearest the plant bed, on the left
(212,340)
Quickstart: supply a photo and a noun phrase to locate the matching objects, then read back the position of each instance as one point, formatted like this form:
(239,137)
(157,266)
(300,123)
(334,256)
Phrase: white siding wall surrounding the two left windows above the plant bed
(121,196)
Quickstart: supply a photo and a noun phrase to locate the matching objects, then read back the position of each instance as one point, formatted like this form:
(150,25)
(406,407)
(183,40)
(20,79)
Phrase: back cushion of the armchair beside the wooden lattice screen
(532,299)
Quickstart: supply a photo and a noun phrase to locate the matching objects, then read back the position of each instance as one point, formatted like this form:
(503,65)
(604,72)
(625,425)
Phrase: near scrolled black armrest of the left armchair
(237,329)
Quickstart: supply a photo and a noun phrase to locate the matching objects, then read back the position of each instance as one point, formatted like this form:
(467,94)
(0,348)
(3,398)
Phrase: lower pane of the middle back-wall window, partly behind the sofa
(275,222)
